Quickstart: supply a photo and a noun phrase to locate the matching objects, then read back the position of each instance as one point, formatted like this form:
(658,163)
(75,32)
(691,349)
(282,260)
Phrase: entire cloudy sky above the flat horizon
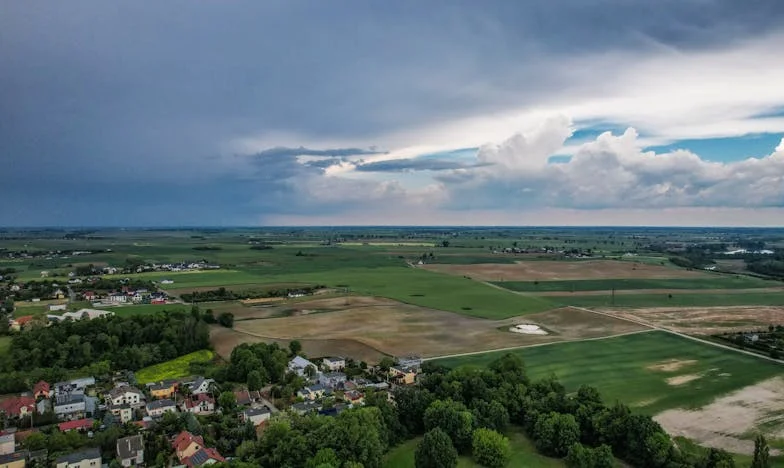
(370,112)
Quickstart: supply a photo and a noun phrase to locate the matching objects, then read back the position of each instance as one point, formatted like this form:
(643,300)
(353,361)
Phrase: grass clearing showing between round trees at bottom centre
(523,454)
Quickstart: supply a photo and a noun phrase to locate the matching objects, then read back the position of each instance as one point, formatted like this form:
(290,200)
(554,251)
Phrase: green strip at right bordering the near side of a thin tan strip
(677,300)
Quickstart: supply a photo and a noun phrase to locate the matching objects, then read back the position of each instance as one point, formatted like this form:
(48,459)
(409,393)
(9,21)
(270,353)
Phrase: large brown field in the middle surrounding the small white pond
(394,328)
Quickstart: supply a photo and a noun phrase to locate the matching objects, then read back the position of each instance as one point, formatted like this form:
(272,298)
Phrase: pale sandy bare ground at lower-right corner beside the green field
(726,422)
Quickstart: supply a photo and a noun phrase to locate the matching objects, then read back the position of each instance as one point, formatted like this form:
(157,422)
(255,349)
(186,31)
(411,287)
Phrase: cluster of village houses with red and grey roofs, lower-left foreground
(90,407)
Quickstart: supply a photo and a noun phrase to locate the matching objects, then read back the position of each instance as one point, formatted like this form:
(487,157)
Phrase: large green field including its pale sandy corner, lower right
(676,380)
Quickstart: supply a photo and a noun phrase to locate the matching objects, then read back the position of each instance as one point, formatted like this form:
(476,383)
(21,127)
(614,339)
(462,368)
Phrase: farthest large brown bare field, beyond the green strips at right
(562,270)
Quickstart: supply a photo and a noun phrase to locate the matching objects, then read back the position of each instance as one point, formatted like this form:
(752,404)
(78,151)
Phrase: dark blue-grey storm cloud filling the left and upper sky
(144,93)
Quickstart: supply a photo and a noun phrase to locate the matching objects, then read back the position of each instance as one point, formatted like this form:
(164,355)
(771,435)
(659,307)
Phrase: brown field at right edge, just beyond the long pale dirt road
(704,320)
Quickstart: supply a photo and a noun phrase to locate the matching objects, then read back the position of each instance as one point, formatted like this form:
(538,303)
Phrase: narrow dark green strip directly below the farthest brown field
(715,282)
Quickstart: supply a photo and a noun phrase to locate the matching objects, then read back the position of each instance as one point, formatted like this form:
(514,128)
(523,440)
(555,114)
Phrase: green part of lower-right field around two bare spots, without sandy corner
(620,369)
